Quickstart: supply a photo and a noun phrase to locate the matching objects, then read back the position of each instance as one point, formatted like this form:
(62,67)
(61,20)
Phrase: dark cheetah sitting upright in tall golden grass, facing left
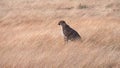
(69,33)
